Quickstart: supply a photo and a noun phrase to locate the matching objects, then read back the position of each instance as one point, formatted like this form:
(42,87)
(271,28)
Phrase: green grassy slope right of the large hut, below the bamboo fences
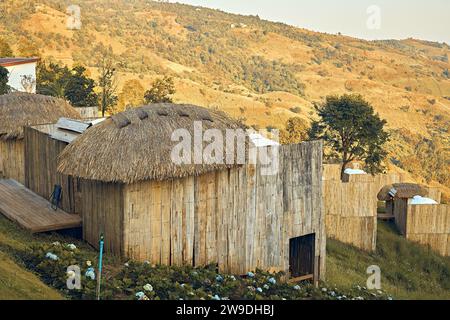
(408,270)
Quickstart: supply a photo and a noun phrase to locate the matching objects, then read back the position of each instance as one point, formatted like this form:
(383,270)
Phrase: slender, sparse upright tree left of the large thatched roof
(107,83)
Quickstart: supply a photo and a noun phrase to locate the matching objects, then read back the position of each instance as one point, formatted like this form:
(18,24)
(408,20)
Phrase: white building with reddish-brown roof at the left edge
(22,73)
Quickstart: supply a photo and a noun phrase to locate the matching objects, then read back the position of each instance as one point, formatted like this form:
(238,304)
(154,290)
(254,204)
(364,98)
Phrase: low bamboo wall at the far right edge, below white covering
(428,225)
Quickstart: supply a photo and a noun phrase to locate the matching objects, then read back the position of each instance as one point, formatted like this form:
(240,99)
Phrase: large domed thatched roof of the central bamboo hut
(136,144)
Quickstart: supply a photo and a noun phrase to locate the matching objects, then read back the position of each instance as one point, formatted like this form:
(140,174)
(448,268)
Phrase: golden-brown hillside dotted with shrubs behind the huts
(261,72)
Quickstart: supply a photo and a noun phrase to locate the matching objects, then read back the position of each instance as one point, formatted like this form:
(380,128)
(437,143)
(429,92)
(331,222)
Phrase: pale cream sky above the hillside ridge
(367,19)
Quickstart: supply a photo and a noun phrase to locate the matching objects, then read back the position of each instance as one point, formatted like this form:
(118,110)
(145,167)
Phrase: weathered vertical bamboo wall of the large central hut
(237,218)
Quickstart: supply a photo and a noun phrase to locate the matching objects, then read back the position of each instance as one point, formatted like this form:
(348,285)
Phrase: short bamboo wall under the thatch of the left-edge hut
(12,160)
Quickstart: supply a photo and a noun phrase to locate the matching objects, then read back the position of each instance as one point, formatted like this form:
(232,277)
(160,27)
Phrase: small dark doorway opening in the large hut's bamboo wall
(302,257)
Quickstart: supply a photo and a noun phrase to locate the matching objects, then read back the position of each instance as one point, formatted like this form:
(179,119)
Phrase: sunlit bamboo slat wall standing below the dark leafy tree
(351,206)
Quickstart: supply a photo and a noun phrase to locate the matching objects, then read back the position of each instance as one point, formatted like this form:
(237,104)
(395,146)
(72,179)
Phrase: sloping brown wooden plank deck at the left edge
(31,211)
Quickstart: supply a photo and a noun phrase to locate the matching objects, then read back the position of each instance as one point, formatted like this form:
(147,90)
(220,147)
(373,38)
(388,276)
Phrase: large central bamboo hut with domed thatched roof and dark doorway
(150,208)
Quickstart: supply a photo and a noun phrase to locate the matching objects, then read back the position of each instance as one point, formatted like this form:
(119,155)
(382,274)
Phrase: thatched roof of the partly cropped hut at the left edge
(20,109)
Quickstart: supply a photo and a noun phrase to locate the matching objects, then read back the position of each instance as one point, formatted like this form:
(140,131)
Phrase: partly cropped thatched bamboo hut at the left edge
(23,109)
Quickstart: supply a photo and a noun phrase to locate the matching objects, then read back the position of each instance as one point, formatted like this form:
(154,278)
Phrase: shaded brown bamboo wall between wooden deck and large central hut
(41,152)
